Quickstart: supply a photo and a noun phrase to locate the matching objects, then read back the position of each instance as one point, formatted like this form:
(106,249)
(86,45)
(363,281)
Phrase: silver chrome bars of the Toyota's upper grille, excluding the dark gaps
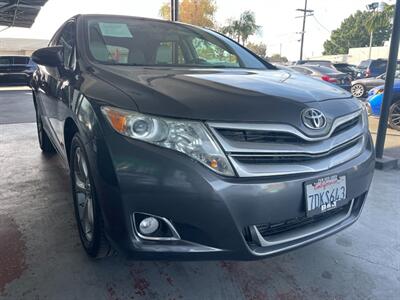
(319,147)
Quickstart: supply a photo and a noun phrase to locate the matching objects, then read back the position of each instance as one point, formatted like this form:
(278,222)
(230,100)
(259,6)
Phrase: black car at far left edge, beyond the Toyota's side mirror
(16,70)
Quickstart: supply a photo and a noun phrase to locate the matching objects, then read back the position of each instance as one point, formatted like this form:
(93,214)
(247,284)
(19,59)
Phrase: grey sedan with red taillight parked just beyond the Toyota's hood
(324,73)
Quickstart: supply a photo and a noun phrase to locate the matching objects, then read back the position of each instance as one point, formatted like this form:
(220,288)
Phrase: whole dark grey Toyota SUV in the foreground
(183,144)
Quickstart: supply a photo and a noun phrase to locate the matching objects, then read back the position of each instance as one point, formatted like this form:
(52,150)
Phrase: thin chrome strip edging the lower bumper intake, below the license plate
(300,232)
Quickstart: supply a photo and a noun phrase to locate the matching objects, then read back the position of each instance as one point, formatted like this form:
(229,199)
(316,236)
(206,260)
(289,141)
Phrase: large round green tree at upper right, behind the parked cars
(355,30)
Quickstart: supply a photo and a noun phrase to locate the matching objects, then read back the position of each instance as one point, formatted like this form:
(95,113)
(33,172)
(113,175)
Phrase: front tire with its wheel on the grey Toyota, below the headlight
(87,211)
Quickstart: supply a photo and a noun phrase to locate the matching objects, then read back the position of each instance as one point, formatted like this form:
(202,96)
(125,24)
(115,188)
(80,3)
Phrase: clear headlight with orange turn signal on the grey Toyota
(189,137)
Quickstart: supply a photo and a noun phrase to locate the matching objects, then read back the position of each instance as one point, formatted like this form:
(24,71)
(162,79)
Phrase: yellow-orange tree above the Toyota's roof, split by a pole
(196,12)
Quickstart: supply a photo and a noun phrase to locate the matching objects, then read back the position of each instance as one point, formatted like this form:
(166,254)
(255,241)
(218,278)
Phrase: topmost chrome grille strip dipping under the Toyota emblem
(282,127)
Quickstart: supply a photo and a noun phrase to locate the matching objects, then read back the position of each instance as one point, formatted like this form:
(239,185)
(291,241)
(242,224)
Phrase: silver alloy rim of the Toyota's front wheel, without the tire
(83,194)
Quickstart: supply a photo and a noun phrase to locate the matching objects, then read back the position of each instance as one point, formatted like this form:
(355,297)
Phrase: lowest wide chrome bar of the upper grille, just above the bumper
(252,170)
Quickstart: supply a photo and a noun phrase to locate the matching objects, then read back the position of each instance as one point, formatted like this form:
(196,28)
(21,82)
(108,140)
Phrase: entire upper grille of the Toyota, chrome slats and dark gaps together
(280,149)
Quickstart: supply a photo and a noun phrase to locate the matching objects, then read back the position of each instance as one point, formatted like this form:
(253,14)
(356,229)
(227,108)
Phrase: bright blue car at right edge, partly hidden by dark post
(374,103)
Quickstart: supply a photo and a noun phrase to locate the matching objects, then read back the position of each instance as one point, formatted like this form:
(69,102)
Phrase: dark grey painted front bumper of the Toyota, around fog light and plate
(211,213)
